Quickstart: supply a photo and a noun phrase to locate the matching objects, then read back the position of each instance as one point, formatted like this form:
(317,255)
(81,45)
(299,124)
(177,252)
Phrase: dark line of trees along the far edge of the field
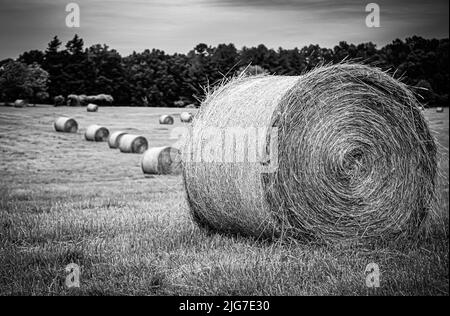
(155,78)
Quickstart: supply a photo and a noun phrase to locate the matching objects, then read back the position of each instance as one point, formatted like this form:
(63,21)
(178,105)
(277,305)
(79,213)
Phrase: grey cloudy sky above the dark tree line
(178,25)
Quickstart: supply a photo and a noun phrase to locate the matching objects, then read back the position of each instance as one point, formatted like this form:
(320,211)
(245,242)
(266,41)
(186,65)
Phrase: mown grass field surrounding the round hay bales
(65,200)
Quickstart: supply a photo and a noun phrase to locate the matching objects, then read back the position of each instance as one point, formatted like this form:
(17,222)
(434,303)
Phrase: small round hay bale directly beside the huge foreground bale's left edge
(161,160)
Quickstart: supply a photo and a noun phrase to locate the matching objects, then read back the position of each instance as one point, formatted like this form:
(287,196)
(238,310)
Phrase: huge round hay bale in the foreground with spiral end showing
(344,153)
